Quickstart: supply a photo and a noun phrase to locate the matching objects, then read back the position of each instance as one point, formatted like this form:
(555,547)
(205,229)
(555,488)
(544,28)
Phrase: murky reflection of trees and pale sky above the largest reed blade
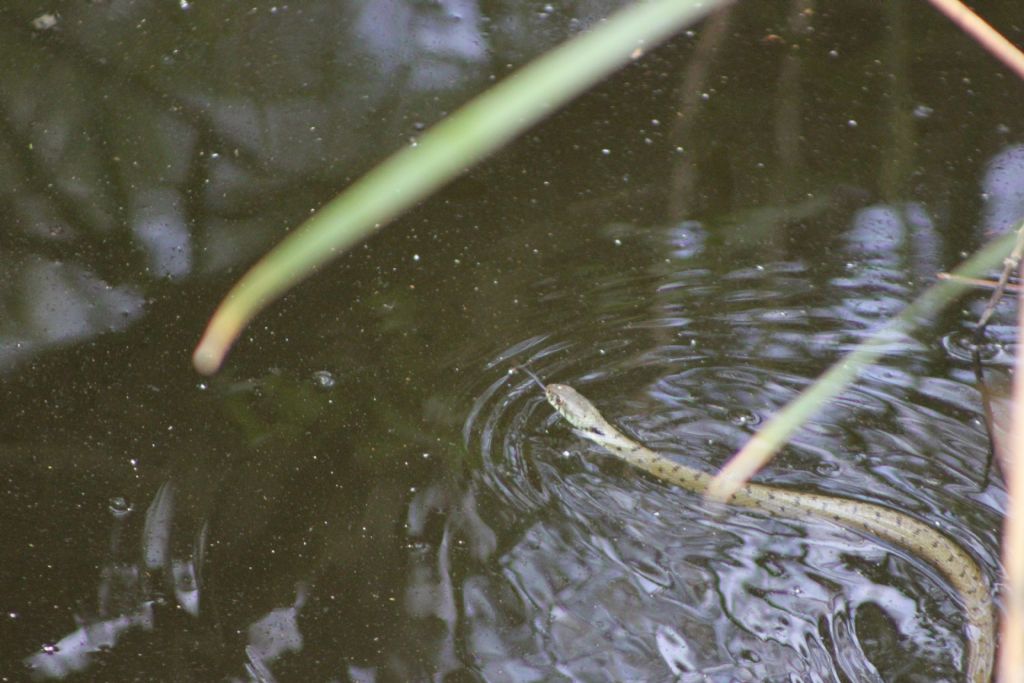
(143,142)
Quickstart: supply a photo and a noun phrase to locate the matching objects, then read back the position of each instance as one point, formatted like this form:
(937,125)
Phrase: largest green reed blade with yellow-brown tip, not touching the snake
(476,131)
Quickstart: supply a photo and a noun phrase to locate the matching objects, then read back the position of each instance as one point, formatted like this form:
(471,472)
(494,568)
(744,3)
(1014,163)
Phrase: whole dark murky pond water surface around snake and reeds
(366,492)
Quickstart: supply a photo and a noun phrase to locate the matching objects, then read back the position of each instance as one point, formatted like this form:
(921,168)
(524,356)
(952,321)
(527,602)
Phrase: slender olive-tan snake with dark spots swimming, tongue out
(916,537)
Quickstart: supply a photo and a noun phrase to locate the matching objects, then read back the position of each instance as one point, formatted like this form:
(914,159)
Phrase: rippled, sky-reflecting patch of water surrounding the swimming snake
(684,590)
